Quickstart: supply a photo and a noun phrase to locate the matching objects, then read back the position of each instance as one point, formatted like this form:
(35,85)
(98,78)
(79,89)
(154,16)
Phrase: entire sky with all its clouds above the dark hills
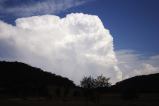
(117,38)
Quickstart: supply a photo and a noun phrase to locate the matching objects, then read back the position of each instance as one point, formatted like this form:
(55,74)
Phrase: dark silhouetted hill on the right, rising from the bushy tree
(144,83)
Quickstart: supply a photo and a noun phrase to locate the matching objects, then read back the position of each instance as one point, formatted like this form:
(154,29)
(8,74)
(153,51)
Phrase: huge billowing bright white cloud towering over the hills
(74,46)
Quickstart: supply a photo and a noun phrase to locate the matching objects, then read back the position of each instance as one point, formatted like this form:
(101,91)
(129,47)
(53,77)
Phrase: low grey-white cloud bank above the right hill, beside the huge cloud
(132,63)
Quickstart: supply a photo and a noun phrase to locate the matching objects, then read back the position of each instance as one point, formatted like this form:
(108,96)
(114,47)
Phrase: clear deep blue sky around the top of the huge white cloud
(133,24)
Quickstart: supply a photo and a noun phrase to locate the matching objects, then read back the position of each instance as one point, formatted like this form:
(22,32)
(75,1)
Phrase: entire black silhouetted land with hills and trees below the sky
(20,83)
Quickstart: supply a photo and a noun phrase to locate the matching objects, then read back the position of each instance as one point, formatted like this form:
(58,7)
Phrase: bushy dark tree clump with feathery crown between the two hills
(100,81)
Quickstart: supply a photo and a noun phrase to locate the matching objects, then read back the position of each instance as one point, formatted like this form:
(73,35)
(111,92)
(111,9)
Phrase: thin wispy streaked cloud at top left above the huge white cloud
(29,7)
